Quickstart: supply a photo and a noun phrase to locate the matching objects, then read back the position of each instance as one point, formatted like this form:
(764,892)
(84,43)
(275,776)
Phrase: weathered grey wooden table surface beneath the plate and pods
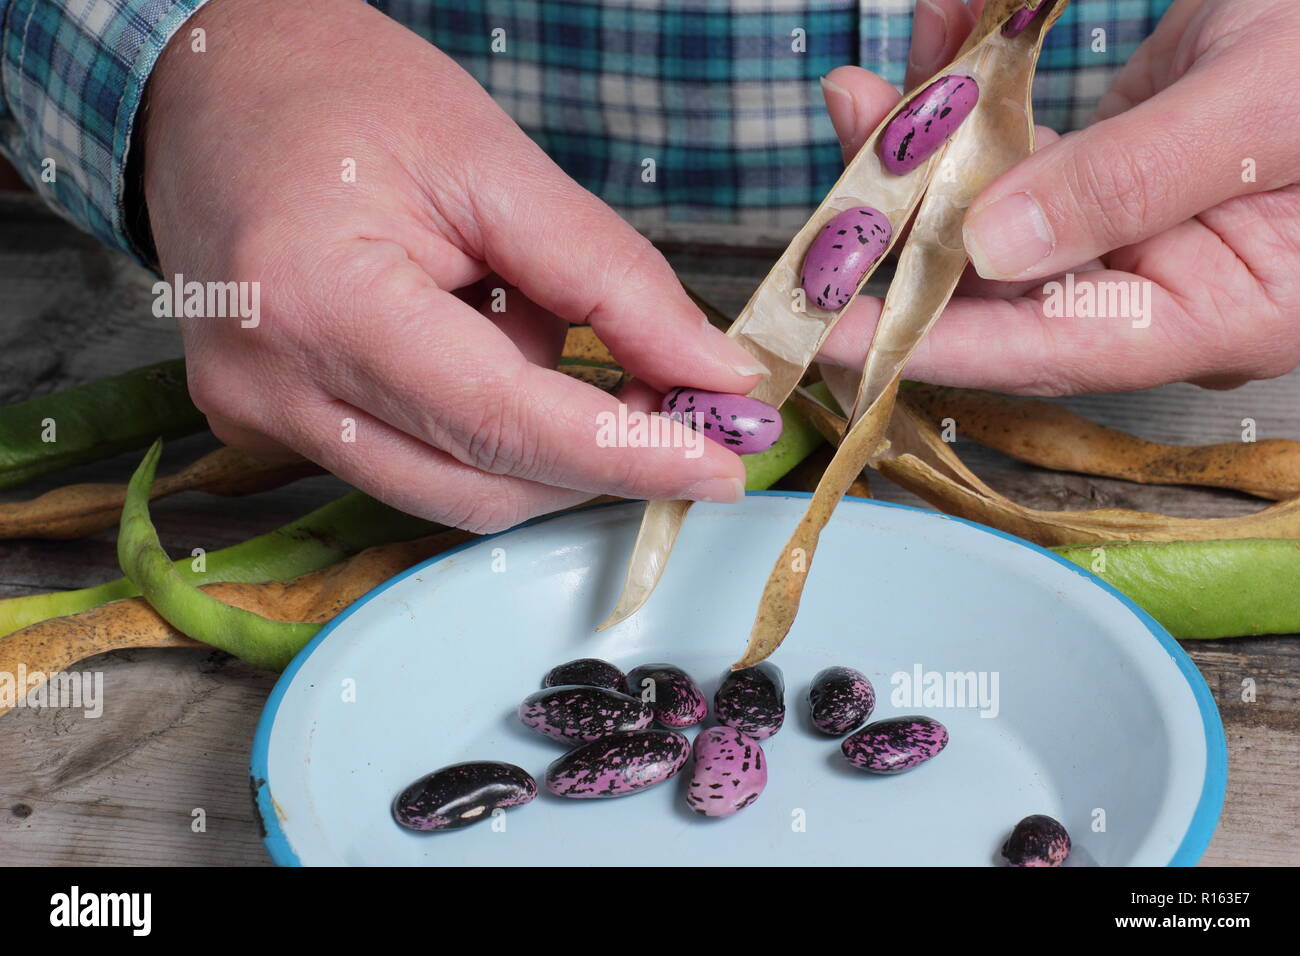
(177,725)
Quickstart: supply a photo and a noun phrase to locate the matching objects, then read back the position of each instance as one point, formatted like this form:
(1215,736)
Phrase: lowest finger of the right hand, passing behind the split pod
(1021,347)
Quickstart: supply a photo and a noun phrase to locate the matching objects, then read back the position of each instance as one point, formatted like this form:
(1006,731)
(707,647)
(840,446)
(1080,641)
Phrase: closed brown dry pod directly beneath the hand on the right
(1054,438)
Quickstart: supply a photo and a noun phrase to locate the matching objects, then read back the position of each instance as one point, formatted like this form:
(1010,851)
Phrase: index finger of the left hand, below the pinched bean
(424,362)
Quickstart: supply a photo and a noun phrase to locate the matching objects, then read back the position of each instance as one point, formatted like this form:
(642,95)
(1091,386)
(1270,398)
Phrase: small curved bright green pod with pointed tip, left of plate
(261,642)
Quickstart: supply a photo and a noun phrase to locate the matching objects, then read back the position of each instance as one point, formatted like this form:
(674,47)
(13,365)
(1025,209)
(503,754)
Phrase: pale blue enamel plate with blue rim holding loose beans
(1084,708)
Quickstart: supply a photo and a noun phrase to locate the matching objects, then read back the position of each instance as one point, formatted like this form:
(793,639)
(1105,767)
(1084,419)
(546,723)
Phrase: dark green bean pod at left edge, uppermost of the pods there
(96,421)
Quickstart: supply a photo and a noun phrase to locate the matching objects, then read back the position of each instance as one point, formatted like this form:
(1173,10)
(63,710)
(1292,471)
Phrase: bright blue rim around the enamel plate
(1199,834)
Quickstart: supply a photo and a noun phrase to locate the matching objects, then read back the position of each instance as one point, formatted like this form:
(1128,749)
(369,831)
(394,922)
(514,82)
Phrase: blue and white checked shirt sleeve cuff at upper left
(72,77)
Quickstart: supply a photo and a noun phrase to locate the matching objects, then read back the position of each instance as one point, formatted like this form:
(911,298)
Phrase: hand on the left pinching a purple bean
(376,293)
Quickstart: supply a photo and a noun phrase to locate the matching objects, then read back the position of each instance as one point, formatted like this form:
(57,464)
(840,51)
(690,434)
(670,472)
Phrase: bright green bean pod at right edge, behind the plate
(1203,590)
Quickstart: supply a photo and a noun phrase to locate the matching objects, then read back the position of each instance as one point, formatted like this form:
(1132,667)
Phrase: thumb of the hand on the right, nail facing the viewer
(1128,179)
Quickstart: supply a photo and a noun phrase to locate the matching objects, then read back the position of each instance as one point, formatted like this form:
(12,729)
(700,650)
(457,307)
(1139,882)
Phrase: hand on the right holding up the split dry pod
(1156,192)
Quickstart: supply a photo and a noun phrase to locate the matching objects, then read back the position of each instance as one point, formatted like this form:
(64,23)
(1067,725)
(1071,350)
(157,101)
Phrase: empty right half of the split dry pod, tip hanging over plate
(995,137)
